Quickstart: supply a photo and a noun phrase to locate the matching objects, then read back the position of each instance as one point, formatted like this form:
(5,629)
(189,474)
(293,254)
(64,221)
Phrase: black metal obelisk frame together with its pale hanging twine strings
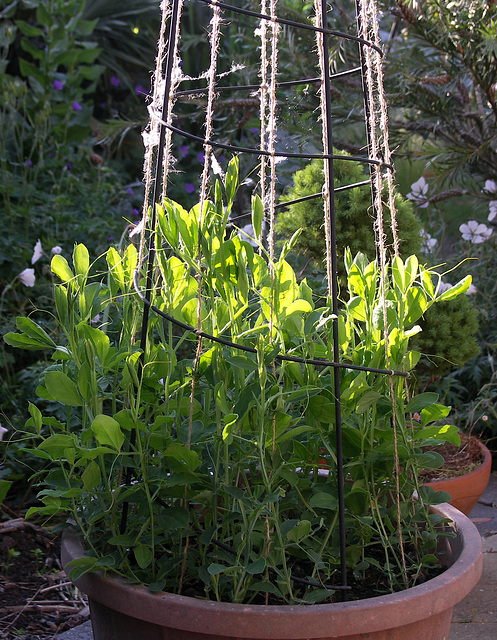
(159,153)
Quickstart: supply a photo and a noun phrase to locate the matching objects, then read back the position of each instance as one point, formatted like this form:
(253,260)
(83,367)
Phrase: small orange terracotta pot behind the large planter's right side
(466,490)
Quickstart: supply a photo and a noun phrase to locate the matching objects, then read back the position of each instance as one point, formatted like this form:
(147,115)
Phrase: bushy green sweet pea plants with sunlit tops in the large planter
(191,465)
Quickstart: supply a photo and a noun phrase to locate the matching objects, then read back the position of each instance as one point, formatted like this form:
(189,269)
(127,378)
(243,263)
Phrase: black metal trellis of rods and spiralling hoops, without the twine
(164,120)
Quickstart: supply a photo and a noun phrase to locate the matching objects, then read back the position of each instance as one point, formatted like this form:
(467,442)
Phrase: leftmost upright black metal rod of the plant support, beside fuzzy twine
(151,250)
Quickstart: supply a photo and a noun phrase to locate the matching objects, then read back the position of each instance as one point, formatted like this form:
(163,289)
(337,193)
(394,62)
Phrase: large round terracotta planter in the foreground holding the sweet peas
(120,611)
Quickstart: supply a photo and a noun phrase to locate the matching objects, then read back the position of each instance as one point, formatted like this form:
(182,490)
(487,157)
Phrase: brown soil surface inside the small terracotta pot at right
(459,460)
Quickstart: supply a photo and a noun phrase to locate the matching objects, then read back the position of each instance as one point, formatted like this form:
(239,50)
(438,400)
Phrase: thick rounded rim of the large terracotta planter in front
(397,609)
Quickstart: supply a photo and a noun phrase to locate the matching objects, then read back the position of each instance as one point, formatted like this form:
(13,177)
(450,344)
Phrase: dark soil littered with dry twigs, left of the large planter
(36,599)
